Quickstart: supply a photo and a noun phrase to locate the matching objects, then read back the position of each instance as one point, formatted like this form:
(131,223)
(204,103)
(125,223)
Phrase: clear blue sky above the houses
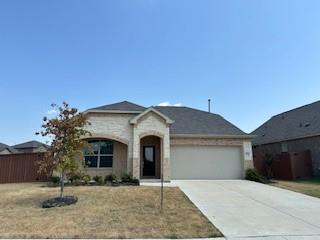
(254,59)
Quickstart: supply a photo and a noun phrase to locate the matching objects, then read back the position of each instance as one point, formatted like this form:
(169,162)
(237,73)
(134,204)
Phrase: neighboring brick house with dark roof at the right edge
(293,131)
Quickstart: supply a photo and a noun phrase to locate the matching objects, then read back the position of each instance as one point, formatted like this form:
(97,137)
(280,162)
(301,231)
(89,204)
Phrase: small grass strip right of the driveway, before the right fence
(309,187)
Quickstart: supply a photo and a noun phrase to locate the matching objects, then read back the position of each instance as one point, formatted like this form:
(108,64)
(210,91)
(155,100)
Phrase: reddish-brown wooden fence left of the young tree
(20,168)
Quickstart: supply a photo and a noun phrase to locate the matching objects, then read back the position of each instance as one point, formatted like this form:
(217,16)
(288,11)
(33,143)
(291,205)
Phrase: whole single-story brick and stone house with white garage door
(176,142)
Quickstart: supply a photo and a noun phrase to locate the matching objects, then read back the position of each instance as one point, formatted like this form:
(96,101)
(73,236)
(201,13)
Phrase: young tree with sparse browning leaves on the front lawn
(66,132)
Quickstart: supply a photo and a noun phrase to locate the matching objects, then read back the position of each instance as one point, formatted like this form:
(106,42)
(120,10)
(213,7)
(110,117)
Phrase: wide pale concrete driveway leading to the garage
(244,209)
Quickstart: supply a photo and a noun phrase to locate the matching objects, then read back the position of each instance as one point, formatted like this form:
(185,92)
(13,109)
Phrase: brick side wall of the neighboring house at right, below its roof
(298,145)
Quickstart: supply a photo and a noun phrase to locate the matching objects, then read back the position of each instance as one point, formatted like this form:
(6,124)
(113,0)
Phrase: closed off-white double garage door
(206,162)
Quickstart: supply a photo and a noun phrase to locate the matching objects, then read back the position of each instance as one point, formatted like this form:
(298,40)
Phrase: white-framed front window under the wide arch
(99,154)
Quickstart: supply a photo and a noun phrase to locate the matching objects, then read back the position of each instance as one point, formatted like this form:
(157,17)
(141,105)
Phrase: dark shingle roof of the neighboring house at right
(300,122)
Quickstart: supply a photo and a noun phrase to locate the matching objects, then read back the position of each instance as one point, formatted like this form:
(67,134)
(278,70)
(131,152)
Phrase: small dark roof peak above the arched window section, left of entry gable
(120,106)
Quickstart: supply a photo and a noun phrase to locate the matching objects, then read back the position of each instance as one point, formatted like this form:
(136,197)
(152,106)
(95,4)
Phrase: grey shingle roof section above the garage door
(196,122)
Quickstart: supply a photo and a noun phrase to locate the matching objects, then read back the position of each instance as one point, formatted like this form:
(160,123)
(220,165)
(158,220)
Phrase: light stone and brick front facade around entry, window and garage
(117,126)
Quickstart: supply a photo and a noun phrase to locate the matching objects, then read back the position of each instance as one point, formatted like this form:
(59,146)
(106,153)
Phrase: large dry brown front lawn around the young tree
(101,212)
